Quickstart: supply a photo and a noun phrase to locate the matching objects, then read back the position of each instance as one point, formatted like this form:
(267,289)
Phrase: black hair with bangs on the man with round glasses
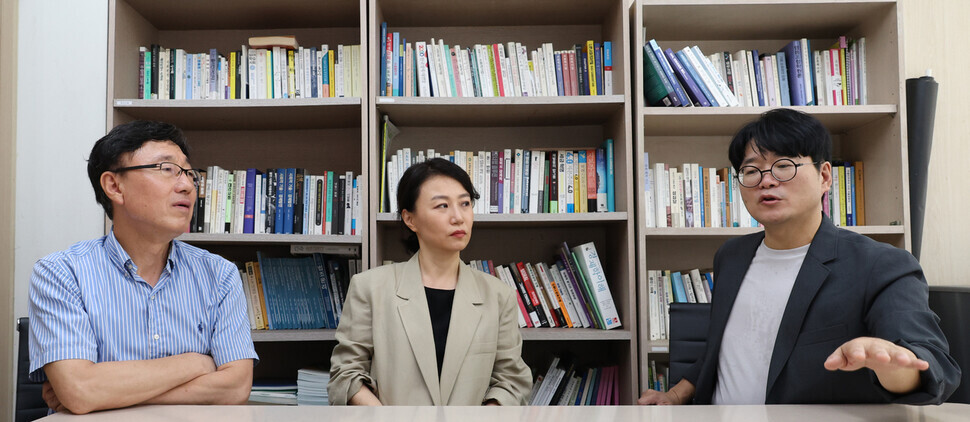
(785,132)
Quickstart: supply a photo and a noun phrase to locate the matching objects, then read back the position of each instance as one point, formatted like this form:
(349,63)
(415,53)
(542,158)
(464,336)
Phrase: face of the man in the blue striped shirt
(151,201)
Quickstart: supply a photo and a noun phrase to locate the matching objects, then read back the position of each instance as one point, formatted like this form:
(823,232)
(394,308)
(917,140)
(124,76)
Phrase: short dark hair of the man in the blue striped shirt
(123,139)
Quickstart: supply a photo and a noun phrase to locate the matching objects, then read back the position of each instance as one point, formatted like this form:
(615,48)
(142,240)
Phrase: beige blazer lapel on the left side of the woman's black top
(417,325)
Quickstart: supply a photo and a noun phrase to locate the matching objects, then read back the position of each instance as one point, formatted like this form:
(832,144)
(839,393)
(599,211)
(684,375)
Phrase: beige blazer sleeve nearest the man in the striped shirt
(351,360)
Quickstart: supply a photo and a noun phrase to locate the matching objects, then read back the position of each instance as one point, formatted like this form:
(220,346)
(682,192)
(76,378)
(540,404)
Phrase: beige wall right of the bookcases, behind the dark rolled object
(934,35)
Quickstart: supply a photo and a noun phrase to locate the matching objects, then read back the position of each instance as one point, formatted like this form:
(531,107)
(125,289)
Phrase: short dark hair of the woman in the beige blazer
(409,188)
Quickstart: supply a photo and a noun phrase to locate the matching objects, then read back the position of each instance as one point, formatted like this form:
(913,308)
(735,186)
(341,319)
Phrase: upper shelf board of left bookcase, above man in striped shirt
(270,114)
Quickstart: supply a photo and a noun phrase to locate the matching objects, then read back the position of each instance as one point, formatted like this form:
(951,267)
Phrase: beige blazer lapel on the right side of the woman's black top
(465,317)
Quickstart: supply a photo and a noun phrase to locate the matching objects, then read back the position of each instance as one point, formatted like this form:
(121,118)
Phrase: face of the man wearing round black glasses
(793,202)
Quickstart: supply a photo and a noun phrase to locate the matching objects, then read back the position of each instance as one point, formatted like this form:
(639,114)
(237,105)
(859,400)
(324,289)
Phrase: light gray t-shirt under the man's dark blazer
(749,337)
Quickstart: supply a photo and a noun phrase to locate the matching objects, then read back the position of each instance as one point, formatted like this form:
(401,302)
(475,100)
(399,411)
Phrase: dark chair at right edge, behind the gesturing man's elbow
(952,305)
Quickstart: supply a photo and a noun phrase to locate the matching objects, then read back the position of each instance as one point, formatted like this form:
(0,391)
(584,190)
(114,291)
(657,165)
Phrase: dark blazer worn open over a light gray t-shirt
(848,286)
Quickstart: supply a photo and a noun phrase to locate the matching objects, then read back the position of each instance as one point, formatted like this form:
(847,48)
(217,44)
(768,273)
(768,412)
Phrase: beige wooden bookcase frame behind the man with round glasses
(873,133)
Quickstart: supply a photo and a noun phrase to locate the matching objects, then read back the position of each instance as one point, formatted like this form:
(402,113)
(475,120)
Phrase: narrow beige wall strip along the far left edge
(8,101)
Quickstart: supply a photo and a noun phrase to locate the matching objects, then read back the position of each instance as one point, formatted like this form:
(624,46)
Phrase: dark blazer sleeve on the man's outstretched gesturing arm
(900,313)
